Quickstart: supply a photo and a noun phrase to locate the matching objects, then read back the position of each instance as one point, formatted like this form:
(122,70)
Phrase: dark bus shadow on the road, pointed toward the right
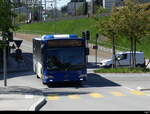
(93,80)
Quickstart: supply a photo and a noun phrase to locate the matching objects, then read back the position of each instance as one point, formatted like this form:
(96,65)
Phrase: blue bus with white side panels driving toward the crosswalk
(60,58)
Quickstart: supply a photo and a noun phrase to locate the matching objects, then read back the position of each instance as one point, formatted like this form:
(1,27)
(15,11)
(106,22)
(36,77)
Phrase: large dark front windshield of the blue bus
(65,59)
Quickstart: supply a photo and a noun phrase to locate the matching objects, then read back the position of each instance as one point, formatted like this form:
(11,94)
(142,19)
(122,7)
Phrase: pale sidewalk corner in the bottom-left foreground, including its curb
(17,98)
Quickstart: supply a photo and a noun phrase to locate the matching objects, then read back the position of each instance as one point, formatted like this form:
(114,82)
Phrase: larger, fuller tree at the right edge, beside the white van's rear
(134,24)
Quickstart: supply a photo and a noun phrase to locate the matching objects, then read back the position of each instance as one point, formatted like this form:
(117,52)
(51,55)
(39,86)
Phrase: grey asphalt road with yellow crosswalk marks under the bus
(99,92)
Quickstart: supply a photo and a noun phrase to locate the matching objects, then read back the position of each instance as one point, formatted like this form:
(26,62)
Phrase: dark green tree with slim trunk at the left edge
(6,25)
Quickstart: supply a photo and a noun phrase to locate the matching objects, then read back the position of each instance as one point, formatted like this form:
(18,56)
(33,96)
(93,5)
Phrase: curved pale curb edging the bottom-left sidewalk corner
(36,106)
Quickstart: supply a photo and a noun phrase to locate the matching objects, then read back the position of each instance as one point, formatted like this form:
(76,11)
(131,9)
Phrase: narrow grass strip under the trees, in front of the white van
(122,70)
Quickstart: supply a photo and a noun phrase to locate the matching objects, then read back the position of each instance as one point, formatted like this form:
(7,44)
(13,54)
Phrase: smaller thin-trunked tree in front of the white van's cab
(109,28)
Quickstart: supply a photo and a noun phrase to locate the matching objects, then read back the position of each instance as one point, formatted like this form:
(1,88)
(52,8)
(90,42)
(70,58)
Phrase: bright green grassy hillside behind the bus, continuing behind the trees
(77,26)
